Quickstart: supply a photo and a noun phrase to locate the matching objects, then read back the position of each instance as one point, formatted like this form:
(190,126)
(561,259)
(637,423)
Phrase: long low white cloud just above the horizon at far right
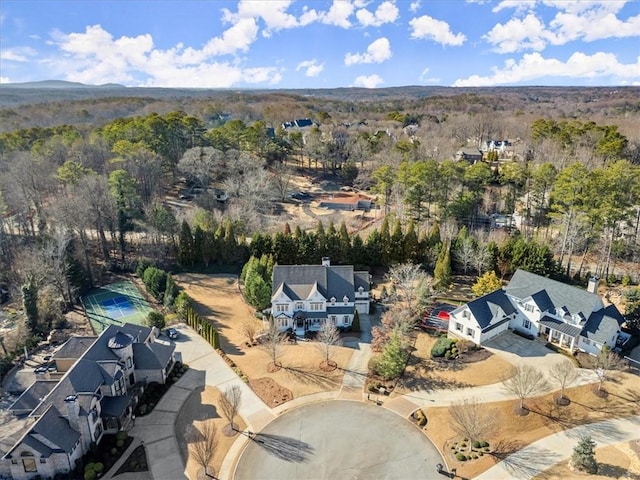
(533,66)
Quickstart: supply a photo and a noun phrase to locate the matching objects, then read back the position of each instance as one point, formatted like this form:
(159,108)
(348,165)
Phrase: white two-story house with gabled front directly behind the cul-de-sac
(304,297)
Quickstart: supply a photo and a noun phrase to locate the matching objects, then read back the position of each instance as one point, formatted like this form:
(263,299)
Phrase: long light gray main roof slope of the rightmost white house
(525,284)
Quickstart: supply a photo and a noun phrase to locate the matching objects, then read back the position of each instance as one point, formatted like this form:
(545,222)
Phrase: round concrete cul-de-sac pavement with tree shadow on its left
(339,439)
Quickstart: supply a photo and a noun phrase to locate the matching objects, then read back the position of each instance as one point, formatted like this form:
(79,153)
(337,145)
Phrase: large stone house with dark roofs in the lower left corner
(93,390)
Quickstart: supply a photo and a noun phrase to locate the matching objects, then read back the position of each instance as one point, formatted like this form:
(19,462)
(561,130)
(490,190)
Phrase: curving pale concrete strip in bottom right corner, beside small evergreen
(548,451)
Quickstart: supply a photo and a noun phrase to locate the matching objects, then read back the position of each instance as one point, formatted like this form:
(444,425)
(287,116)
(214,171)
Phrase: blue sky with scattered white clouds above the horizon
(321,44)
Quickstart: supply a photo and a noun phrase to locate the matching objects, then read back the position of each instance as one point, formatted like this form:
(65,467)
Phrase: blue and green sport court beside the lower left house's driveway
(115,304)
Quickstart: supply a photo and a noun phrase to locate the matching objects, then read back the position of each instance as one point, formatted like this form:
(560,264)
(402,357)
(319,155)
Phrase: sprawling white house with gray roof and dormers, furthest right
(571,317)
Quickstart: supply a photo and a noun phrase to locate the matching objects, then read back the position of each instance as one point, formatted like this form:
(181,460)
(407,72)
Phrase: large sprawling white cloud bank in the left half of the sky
(95,57)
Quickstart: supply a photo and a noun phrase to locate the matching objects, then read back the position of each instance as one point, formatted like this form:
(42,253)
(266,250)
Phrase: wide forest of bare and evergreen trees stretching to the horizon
(93,193)
